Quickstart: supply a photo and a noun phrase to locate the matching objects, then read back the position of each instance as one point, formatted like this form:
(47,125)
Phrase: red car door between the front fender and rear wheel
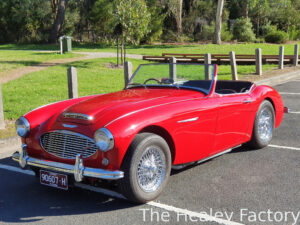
(234,111)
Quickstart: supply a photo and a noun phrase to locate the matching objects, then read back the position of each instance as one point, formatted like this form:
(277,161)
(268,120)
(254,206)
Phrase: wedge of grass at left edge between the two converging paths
(10,60)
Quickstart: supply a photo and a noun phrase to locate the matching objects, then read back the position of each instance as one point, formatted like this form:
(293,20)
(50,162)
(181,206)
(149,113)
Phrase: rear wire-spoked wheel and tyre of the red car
(261,139)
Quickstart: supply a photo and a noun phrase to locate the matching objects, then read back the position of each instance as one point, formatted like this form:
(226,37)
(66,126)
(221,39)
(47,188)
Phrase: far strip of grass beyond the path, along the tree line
(245,48)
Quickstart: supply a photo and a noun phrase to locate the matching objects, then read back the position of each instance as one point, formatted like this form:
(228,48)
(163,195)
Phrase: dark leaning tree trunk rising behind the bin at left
(59,20)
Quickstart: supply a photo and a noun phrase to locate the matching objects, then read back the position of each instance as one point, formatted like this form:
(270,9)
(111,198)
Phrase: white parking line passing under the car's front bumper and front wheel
(114,194)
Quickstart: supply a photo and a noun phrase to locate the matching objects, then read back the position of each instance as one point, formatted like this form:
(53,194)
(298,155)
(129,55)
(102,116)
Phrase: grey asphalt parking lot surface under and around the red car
(242,187)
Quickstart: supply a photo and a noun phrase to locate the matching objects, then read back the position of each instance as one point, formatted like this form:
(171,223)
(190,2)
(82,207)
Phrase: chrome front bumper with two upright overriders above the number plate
(78,170)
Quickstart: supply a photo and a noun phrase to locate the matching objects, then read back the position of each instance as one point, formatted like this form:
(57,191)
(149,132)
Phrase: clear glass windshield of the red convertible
(192,76)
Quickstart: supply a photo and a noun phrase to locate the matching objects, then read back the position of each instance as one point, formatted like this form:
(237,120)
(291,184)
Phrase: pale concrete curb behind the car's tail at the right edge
(283,78)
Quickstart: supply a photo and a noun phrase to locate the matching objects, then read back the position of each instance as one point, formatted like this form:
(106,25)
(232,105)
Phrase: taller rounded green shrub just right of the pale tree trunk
(242,30)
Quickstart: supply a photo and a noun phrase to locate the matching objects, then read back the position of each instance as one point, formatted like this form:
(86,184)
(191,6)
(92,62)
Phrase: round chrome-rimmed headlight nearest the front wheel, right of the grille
(104,139)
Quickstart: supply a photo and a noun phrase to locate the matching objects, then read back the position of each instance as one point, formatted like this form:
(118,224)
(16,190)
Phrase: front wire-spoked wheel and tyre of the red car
(131,185)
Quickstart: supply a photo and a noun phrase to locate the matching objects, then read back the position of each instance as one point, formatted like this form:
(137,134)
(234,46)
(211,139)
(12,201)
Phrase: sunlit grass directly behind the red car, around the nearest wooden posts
(94,76)
